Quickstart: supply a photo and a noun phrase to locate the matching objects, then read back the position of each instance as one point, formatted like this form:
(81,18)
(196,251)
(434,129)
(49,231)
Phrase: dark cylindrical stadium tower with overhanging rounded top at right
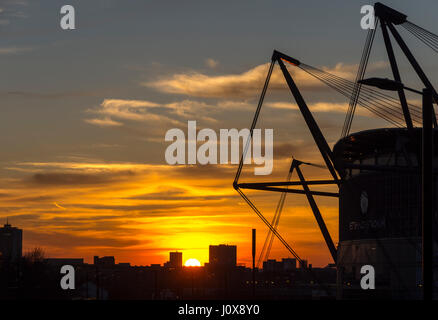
(380,212)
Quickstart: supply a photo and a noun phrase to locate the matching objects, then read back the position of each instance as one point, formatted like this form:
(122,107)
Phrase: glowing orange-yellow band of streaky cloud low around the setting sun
(139,212)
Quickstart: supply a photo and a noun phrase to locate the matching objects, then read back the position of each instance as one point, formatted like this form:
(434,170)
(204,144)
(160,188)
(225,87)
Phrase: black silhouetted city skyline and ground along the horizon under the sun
(221,278)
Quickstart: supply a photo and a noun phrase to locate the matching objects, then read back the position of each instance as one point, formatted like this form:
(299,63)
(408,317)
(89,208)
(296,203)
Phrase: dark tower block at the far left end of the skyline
(11,243)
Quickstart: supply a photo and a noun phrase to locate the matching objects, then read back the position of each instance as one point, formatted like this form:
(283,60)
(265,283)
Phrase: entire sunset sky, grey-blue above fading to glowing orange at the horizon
(84,114)
